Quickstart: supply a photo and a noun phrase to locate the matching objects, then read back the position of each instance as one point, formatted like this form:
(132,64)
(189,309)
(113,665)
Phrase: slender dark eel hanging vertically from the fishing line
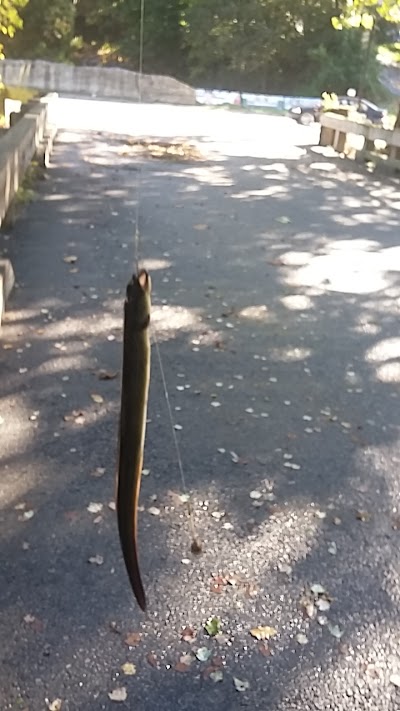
(132,425)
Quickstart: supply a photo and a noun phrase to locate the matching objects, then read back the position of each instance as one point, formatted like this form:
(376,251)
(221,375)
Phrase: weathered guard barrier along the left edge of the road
(27,138)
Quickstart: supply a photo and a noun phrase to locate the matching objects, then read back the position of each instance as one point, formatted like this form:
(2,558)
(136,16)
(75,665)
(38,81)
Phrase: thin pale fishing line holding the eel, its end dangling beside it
(195,547)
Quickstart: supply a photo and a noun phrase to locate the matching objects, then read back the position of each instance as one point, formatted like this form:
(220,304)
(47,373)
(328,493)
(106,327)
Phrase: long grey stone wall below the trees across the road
(103,82)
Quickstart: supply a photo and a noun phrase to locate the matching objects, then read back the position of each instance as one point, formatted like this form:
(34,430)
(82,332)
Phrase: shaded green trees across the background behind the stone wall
(259,45)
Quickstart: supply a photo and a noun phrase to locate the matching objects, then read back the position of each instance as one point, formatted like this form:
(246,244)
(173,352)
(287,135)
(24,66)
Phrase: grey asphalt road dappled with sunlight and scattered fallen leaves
(276,308)
